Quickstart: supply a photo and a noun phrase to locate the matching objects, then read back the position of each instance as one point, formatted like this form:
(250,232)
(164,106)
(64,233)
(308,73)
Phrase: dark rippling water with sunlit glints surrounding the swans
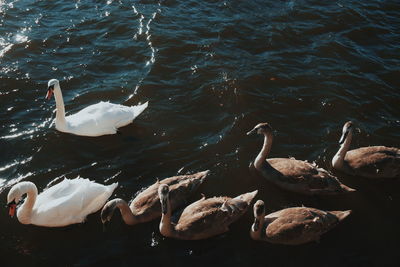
(211,70)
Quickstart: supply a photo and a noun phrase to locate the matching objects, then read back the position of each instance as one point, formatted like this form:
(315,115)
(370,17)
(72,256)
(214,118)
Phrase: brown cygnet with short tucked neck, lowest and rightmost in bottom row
(293,226)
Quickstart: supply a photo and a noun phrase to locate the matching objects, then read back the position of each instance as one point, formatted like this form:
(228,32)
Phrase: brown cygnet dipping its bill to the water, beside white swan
(146,205)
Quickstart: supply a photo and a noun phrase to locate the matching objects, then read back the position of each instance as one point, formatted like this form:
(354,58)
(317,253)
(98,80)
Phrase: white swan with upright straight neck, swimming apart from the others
(95,120)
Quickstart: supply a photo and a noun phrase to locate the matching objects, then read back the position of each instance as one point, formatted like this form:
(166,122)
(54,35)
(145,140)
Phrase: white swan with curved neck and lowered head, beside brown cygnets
(67,202)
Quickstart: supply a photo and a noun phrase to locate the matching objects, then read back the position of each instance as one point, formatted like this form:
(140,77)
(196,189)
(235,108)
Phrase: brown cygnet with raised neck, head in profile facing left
(291,174)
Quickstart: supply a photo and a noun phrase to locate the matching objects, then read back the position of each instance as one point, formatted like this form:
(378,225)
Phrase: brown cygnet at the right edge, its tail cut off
(371,161)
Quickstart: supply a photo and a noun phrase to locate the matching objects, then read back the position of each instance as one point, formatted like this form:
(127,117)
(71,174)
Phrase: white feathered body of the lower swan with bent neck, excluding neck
(69,201)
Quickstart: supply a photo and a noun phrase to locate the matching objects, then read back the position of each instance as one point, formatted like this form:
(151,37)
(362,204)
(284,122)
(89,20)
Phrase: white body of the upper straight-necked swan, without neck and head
(102,118)
